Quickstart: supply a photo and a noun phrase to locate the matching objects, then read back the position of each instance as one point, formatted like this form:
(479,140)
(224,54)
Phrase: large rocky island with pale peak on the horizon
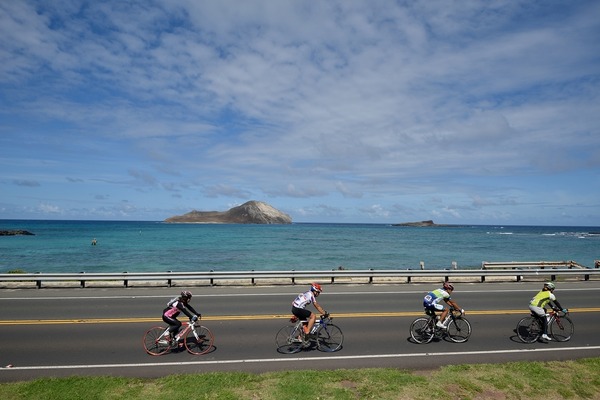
(251,212)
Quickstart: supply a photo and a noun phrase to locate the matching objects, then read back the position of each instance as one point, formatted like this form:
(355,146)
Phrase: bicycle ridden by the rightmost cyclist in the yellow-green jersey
(560,327)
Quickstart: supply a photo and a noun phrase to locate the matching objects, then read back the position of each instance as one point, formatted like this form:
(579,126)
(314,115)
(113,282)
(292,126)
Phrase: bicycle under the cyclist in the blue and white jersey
(424,329)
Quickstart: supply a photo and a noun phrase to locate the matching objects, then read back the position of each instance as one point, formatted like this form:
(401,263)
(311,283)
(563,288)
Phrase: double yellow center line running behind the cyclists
(261,317)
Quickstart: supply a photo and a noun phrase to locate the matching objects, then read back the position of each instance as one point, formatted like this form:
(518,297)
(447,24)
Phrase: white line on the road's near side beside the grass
(296,359)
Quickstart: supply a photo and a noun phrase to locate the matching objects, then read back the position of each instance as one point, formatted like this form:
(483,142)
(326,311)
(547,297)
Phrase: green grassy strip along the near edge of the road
(519,380)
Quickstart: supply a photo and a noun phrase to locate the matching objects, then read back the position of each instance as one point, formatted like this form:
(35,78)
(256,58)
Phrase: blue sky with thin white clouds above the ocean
(470,112)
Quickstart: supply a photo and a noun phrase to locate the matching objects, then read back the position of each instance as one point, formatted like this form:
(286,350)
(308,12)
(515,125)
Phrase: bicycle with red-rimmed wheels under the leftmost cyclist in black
(197,339)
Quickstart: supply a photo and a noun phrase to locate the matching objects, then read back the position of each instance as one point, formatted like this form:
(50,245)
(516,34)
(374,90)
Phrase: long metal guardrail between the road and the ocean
(212,276)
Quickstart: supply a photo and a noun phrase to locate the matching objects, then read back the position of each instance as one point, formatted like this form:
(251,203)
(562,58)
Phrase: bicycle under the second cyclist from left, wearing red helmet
(327,336)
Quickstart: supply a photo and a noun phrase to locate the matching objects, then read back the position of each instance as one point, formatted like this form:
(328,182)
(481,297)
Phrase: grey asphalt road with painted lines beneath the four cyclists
(63,332)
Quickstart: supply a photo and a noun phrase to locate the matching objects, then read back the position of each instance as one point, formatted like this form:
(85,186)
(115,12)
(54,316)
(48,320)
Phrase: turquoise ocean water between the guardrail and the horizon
(65,246)
